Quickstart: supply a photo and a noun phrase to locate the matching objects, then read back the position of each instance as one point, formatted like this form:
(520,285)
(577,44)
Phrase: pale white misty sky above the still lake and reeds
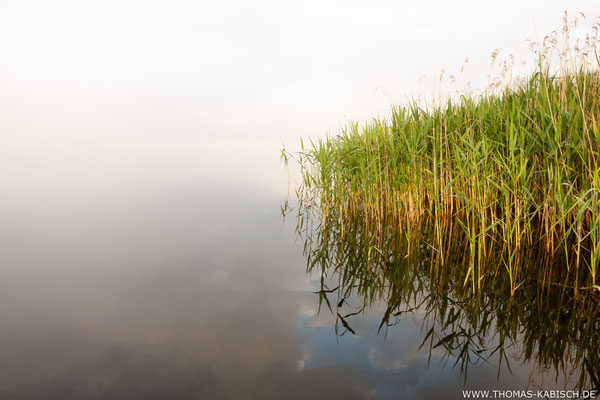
(195,71)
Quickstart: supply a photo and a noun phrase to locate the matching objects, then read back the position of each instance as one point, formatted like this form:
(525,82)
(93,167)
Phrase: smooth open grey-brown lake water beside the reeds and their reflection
(165,272)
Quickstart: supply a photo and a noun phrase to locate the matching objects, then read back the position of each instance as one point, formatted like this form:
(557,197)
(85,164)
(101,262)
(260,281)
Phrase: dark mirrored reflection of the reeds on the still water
(556,330)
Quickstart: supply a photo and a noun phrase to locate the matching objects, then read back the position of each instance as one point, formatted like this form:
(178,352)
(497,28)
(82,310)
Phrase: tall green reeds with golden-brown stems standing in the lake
(504,186)
